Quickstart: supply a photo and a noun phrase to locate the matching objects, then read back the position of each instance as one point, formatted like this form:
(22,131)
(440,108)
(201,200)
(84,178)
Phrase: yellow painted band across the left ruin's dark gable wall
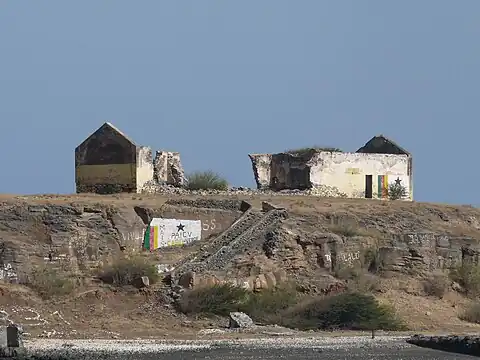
(106,174)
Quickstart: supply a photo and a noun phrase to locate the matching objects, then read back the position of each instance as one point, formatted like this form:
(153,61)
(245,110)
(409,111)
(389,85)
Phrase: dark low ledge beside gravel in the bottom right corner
(469,345)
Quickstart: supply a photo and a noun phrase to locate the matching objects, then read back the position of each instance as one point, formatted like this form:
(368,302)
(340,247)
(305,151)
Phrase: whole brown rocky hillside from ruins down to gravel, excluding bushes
(305,240)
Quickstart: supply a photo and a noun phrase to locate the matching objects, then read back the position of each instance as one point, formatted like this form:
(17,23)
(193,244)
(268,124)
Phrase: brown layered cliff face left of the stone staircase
(80,235)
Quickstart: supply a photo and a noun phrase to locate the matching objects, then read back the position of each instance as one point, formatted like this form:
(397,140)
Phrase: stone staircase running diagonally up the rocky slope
(215,255)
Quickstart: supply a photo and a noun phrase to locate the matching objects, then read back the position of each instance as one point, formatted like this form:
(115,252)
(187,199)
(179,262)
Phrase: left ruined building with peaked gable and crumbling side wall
(109,162)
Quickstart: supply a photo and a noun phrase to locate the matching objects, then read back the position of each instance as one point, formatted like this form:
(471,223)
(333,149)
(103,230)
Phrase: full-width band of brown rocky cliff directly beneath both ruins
(318,235)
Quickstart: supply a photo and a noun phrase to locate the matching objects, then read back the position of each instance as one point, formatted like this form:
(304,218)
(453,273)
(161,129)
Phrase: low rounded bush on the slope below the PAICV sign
(124,271)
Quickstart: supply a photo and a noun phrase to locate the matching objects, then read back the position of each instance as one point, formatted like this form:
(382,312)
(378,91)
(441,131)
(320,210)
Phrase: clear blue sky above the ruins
(216,80)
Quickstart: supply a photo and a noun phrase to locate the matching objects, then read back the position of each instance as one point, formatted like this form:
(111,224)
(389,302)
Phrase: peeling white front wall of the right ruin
(347,171)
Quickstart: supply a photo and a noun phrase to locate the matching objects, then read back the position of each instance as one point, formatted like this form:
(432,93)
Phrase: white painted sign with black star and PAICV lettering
(171,232)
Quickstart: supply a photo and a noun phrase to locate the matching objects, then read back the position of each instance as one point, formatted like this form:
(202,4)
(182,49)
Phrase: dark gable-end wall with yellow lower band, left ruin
(104,160)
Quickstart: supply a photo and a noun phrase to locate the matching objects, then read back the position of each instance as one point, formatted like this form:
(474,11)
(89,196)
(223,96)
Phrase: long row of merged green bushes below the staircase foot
(283,306)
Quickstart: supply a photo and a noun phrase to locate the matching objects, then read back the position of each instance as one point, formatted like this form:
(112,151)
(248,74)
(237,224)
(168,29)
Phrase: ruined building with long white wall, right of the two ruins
(366,173)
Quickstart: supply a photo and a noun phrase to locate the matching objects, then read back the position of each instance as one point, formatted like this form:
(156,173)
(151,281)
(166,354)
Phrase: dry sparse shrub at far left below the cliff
(49,282)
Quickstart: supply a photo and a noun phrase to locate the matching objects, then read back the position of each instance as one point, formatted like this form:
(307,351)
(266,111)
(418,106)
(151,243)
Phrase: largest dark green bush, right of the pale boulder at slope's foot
(353,311)
